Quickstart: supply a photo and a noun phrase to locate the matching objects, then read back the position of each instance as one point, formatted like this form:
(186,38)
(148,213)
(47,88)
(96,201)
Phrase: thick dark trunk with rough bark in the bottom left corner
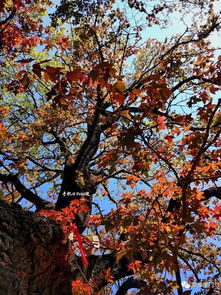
(32,254)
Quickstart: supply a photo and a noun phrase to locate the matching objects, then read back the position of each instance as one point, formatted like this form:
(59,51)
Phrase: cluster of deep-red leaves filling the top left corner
(21,30)
